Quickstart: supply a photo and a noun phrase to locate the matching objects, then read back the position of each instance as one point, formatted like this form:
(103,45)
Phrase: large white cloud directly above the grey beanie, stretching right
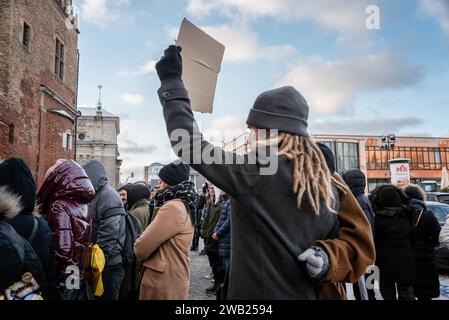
(331,86)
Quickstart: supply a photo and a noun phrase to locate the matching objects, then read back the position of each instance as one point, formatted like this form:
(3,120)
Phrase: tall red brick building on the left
(38,81)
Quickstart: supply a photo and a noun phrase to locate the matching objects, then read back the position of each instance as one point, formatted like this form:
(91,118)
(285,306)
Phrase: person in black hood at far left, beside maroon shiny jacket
(17,177)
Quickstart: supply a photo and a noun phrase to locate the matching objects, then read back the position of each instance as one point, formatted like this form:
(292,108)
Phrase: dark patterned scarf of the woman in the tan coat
(184,191)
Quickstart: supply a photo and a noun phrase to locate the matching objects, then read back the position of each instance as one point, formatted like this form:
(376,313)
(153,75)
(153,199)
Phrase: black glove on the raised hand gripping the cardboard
(170,65)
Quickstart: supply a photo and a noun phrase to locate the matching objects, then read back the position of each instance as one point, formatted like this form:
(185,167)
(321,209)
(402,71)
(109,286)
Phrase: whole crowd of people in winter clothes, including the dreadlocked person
(301,232)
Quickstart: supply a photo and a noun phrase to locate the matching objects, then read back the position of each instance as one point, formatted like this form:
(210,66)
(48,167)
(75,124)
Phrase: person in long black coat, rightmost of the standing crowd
(427,231)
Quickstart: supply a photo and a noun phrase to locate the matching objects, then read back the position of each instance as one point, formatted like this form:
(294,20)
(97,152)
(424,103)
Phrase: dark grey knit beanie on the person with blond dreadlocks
(284,109)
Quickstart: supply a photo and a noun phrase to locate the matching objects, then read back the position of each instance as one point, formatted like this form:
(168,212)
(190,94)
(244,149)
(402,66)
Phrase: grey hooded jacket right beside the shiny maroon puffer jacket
(108,214)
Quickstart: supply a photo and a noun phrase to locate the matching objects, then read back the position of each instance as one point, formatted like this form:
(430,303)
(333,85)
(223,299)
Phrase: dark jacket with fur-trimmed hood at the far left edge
(16,254)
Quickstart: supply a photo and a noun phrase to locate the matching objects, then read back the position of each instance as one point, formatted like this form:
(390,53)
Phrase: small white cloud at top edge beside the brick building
(103,12)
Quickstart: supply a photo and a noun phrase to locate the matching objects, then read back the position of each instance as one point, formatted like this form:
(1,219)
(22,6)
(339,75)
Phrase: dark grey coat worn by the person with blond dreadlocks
(268,229)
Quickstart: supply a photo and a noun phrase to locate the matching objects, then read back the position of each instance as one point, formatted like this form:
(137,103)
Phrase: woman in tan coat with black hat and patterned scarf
(164,245)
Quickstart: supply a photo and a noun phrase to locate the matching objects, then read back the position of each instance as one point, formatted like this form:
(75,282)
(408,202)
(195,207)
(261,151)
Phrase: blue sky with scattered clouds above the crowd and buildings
(356,80)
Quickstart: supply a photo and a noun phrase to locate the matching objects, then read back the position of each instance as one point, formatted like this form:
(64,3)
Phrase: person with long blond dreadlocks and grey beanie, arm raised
(284,205)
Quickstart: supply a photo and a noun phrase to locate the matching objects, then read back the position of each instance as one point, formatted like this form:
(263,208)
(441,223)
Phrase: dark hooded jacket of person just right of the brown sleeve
(356,181)
